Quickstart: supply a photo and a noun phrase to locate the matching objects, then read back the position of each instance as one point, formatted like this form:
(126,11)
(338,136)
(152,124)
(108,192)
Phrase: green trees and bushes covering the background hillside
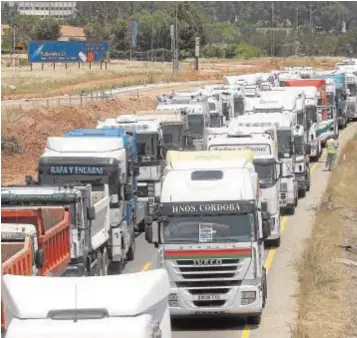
(227,29)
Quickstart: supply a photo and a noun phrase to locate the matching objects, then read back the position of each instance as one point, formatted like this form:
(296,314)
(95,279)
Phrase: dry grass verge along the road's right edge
(323,309)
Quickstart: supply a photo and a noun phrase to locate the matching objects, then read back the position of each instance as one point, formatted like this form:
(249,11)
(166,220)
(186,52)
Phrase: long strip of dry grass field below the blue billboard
(50,82)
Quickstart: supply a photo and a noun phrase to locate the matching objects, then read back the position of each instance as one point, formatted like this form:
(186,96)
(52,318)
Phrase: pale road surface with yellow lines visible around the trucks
(279,313)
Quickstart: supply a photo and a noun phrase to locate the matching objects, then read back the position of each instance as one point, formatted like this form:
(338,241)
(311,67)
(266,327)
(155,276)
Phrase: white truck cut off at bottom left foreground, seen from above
(130,305)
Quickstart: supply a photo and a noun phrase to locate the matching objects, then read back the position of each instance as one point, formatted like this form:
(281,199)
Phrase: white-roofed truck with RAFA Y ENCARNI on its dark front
(102,162)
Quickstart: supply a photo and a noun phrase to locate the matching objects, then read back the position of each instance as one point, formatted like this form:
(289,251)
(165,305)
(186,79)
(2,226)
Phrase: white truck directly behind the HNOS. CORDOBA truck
(265,159)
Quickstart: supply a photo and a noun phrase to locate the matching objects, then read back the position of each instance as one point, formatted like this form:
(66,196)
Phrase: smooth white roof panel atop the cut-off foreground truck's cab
(121,295)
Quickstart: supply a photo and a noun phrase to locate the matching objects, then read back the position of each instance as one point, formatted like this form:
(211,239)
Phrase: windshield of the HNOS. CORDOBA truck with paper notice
(221,229)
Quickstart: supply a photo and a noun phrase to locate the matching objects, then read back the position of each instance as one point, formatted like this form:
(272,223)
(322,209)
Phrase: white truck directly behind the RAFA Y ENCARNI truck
(150,158)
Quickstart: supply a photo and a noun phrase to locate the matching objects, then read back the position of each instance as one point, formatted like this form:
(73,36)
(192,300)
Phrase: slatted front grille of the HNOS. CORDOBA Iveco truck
(213,280)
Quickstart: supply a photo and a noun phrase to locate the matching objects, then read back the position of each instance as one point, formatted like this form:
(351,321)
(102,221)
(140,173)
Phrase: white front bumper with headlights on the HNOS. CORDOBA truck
(183,303)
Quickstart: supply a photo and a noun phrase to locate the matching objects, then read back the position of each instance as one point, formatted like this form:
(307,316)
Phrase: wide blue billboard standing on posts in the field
(67,51)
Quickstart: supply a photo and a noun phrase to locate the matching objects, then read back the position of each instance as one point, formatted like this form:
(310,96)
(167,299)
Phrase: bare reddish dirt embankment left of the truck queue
(32,129)
